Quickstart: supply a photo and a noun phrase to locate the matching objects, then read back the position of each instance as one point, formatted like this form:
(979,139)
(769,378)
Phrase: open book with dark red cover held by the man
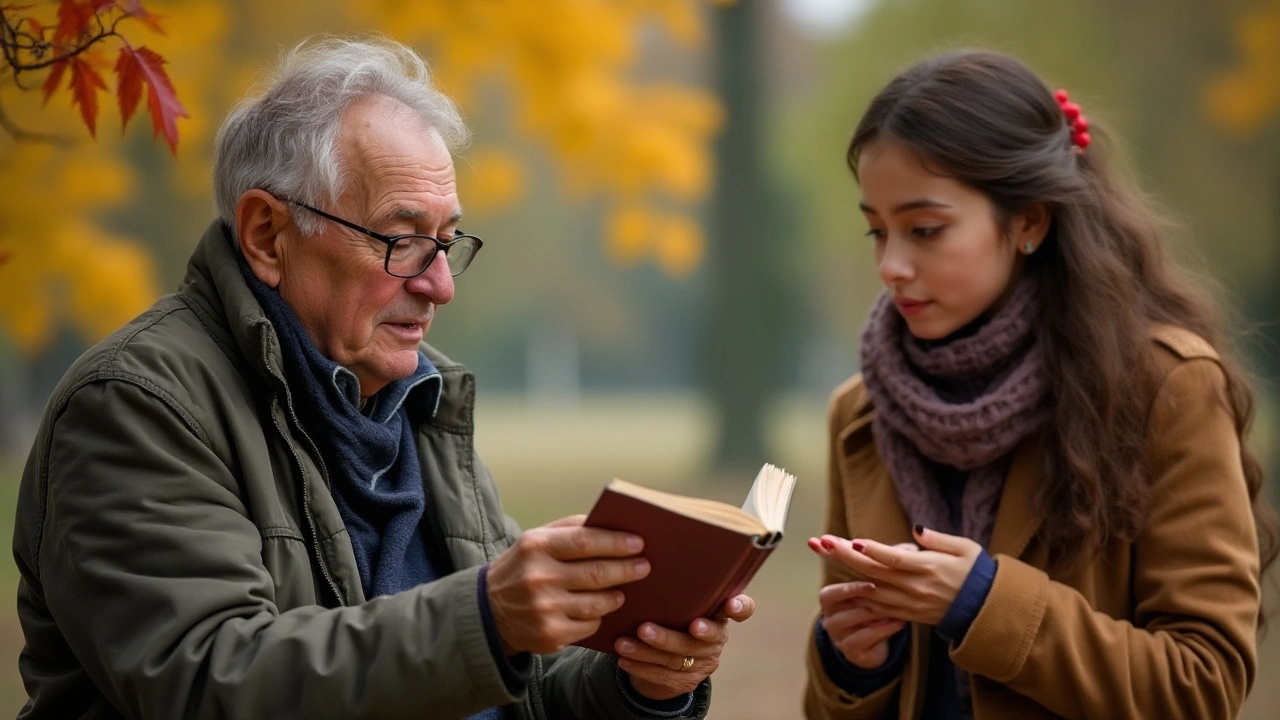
(702,553)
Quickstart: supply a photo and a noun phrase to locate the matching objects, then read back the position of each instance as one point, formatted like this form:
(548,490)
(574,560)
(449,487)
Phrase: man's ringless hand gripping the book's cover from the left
(554,586)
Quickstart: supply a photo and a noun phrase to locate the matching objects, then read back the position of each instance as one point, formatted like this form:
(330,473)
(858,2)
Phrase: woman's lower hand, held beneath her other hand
(858,632)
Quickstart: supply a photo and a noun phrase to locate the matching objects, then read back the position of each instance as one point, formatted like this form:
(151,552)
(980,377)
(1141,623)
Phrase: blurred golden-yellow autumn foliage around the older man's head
(639,149)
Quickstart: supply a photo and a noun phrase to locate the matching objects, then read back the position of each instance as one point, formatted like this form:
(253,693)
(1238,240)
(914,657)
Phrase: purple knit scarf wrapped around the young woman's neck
(966,402)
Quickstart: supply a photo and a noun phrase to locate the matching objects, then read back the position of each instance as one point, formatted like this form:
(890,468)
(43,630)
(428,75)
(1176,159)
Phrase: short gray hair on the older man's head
(284,140)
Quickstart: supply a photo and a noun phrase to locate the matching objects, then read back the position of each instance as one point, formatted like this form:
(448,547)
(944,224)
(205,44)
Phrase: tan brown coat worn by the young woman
(1163,627)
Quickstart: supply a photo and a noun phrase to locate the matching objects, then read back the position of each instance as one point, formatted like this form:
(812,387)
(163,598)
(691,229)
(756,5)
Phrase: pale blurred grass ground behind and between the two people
(554,461)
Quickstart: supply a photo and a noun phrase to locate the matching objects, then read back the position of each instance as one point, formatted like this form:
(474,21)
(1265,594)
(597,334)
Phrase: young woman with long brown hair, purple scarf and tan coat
(1041,504)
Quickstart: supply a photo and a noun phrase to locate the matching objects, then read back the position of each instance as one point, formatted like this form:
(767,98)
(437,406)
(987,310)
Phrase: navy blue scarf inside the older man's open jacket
(371,458)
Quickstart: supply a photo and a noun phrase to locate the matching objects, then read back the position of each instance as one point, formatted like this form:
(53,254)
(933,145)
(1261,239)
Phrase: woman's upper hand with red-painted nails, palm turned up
(909,586)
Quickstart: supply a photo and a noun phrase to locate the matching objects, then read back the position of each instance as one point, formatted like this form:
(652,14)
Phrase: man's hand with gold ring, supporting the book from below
(656,658)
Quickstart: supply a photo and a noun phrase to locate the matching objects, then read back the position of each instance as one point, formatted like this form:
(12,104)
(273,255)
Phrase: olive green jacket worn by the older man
(182,557)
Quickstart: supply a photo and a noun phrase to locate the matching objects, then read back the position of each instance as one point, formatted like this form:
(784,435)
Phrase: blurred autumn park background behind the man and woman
(676,272)
